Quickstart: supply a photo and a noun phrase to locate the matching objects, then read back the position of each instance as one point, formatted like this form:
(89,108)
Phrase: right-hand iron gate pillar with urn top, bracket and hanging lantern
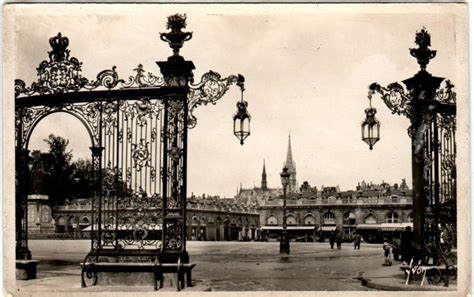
(432,113)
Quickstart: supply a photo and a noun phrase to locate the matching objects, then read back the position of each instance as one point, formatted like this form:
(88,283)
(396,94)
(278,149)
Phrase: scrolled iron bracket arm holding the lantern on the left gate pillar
(210,89)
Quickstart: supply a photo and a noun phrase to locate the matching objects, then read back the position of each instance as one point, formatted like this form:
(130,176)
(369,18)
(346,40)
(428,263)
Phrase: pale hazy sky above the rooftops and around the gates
(307,69)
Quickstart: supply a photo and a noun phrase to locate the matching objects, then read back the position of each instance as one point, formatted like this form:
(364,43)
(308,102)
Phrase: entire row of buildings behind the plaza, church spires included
(371,210)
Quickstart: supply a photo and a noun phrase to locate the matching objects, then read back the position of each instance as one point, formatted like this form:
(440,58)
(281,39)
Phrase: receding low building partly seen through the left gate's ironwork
(208,218)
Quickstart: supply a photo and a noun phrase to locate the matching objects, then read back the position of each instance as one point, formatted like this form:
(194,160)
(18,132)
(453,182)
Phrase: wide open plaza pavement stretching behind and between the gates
(229,266)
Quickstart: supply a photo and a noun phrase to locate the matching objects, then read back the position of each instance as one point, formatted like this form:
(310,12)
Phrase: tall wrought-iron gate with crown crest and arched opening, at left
(138,132)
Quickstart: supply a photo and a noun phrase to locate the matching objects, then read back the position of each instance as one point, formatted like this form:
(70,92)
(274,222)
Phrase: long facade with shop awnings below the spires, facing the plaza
(369,212)
